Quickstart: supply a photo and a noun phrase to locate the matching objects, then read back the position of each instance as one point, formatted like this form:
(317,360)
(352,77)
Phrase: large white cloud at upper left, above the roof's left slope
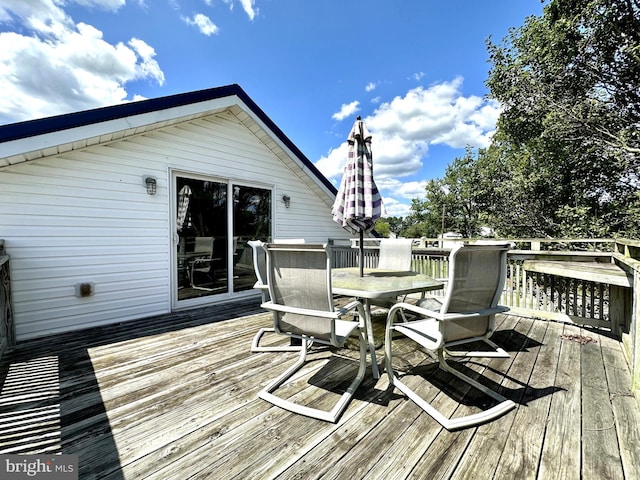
(56,66)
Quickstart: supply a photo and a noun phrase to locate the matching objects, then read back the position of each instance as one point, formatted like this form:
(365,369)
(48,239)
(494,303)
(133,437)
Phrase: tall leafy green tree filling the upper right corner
(569,135)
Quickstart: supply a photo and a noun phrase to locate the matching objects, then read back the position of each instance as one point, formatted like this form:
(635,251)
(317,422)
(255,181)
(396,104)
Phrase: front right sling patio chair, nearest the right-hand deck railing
(464,315)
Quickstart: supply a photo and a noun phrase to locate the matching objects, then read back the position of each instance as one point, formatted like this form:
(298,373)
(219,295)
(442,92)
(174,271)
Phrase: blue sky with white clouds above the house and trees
(413,69)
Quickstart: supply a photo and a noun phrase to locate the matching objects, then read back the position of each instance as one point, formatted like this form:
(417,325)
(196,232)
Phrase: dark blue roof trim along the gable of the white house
(42,126)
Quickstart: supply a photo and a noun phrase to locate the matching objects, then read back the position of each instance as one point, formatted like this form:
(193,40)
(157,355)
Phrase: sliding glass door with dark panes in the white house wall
(214,220)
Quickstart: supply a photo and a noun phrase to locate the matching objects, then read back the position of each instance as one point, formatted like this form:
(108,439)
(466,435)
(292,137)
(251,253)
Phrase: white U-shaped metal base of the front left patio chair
(329,416)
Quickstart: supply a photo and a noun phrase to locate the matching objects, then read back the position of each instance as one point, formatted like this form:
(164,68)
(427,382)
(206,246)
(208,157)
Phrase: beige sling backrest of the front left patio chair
(299,278)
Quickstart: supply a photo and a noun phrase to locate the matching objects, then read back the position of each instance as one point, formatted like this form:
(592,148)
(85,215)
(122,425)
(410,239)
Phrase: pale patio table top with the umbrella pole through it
(377,283)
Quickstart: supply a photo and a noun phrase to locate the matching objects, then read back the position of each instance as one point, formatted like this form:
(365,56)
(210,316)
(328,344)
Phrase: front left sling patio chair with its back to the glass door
(299,279)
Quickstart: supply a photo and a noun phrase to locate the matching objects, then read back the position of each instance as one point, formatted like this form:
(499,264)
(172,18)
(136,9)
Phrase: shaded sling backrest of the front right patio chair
(476,278)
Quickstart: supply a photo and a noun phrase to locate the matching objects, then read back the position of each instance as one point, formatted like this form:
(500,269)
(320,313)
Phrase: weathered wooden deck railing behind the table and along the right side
(591,300)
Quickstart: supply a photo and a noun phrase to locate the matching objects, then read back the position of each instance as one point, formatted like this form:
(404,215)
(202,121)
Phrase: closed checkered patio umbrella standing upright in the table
(358,203)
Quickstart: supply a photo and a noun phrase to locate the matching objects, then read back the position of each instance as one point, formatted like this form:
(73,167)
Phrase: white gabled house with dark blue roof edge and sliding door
(91,243)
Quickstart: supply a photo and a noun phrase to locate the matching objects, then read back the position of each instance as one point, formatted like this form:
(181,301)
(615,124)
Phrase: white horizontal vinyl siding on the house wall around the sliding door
(85,216)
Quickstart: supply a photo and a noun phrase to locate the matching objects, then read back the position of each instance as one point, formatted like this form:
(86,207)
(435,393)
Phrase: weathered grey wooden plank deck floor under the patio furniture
(174,397)
